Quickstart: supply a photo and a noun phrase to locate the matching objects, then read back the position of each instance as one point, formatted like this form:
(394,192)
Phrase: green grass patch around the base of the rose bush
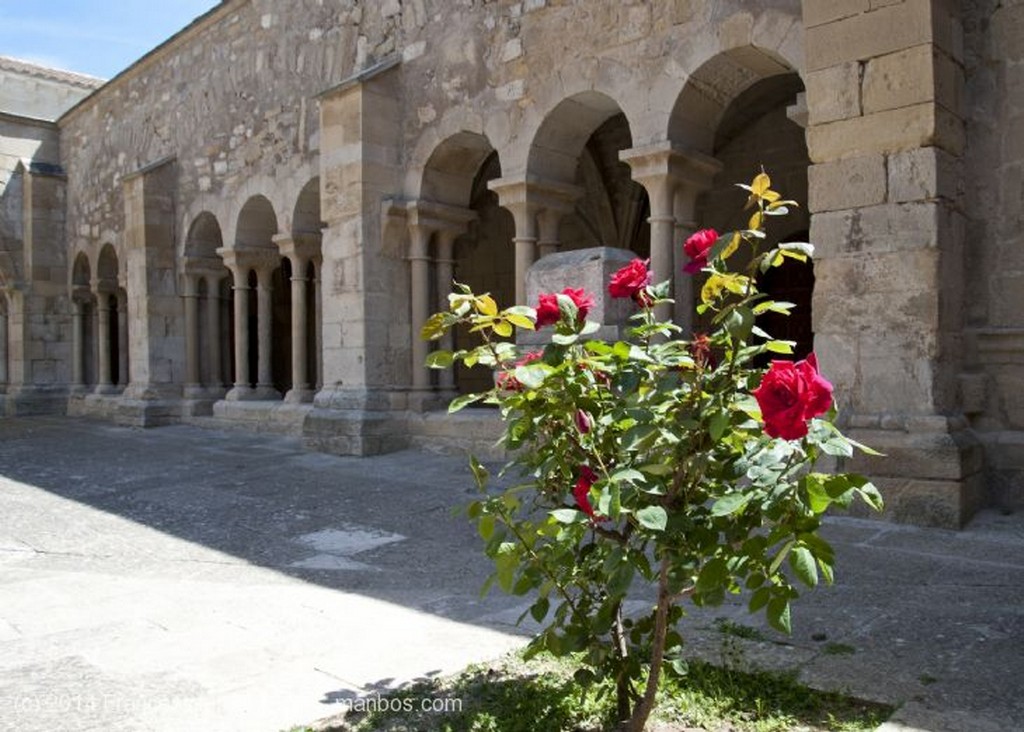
(511,696)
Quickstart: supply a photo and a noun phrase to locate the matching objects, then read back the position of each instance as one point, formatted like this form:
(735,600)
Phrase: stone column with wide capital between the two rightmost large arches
(664,169)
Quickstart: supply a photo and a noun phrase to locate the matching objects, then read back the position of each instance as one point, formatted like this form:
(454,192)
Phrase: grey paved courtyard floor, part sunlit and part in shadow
(181,579)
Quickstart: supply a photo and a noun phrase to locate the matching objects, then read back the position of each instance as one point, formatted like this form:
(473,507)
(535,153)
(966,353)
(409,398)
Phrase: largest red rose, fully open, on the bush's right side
(792,394)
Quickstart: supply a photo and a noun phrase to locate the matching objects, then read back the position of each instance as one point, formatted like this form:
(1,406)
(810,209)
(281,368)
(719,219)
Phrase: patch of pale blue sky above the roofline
(96,37)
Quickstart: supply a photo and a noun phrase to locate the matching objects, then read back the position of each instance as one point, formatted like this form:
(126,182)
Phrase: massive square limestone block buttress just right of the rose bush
(885,138)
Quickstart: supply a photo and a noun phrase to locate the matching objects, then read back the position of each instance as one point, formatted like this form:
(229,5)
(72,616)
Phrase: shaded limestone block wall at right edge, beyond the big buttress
(993,387)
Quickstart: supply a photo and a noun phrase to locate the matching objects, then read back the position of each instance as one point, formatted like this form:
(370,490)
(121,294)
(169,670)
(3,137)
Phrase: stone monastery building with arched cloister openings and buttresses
(249,226)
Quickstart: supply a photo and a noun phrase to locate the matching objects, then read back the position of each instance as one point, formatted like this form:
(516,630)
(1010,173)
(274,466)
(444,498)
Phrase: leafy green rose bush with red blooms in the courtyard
(656,471)
